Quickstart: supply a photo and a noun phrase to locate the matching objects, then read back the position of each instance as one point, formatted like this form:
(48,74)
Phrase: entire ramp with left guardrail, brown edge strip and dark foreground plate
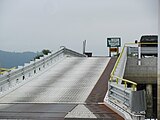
(59,86)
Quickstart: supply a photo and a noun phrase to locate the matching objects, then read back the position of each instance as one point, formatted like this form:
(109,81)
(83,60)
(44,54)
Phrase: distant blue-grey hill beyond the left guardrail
(15,59)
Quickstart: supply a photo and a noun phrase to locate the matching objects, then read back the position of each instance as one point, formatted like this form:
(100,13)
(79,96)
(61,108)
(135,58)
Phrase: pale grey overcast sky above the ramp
(33,25)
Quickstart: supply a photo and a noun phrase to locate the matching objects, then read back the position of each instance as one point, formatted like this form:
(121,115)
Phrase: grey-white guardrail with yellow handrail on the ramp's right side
(121,94)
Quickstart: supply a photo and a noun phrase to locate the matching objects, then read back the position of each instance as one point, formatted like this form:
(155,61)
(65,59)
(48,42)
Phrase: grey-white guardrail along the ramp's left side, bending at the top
(22,73)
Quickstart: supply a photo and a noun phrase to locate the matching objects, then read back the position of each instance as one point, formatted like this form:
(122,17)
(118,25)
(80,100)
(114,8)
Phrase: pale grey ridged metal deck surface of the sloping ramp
(69,81)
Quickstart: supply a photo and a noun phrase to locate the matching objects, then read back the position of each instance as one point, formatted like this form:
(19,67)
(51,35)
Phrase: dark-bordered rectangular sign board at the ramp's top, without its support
(114,42)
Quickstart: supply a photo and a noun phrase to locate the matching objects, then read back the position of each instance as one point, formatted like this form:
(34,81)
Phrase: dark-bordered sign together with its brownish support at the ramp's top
(113,44)
